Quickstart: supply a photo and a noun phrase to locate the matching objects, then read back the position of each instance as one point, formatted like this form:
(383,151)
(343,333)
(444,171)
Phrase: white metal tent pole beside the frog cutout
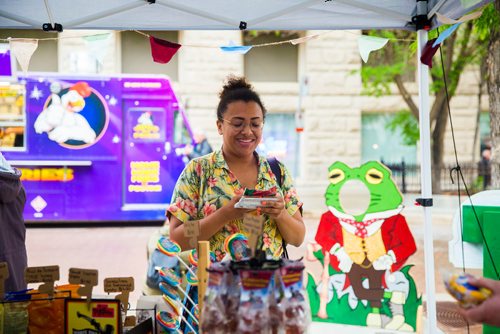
(426,184)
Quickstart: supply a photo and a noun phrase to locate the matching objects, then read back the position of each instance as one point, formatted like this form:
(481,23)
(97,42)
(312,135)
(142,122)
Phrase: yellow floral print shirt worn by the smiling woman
(207,184)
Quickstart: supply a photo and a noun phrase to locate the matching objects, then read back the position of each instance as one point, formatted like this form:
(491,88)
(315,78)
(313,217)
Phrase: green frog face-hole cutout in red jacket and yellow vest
(363,242)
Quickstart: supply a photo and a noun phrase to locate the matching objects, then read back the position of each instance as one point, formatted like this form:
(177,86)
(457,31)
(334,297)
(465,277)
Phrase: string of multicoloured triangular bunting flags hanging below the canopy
(162,51)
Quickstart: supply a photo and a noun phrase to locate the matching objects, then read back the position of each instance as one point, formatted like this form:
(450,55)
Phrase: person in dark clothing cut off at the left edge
(12,228)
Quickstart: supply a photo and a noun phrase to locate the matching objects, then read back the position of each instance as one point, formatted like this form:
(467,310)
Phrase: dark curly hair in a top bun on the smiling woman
(237,89)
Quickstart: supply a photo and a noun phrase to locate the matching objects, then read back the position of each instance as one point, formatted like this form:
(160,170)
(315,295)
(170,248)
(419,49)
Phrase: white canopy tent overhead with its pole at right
(263,15)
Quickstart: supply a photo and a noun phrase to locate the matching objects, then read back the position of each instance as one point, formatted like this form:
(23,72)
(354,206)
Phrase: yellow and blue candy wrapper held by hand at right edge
(466,294)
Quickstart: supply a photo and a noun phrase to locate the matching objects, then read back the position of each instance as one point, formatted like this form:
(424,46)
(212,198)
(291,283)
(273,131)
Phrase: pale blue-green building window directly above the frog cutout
(378,143)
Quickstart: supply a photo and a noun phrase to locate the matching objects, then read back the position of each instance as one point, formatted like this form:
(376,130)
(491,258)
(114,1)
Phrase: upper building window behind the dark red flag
(136,54)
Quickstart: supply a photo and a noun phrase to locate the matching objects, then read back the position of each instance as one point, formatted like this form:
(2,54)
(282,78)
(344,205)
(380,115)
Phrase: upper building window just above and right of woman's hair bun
(276,63)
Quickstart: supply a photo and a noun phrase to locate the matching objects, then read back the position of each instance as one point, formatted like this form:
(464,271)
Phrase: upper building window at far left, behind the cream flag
(45,58)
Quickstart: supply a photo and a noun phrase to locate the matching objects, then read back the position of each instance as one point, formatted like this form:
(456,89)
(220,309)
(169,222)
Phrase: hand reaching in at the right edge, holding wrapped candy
(487,312)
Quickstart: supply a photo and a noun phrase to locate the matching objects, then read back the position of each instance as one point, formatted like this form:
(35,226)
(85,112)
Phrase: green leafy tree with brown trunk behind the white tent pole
(390,72)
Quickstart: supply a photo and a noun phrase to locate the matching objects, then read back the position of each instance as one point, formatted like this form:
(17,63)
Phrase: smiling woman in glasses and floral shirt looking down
(210,186)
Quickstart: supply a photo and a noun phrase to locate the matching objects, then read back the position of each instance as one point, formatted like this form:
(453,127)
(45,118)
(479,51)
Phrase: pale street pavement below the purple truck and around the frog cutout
(121,251)
